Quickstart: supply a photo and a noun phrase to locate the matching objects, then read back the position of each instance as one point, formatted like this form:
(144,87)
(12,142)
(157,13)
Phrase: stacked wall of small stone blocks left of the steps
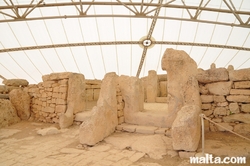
(49,98)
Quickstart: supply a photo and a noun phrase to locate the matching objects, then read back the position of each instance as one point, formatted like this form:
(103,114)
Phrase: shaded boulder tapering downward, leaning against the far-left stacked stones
(21,101)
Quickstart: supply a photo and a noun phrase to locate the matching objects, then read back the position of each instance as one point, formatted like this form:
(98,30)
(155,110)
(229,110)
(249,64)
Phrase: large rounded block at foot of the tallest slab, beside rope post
(186,128)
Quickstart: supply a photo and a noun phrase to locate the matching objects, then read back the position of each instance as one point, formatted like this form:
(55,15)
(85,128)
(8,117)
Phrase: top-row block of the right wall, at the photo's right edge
(239,75)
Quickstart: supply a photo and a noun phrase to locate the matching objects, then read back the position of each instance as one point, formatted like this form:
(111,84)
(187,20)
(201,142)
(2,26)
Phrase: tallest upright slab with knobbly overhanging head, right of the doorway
(182,85)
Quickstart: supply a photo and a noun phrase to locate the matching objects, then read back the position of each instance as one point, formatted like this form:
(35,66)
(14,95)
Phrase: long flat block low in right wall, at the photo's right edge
(244,118)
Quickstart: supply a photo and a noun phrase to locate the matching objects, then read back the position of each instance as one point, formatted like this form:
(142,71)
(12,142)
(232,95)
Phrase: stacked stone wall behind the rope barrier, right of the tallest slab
(225,96)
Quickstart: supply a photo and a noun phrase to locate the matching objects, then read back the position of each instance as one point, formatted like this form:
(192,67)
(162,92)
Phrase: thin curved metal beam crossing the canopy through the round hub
(122,43)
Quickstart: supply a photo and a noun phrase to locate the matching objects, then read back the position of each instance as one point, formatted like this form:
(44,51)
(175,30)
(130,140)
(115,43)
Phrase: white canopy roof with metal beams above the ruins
(129,37)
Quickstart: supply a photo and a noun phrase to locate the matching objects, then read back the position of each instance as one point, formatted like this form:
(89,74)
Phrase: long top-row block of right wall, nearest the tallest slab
(212,75)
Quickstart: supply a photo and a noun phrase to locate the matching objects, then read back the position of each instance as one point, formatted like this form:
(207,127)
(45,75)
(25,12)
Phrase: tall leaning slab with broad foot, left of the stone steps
(104,116)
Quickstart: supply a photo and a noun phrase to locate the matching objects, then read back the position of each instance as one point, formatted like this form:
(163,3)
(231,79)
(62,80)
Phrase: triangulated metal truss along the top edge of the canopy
(10,11)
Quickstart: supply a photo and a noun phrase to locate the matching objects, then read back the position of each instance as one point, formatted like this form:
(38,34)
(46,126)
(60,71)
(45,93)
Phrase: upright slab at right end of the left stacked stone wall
(75,99)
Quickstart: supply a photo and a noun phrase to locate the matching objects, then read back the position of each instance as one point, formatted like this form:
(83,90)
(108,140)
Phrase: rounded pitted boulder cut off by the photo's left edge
(8,114)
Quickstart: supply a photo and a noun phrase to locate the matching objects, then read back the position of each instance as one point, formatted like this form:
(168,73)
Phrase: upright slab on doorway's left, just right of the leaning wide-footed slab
(132,93)
